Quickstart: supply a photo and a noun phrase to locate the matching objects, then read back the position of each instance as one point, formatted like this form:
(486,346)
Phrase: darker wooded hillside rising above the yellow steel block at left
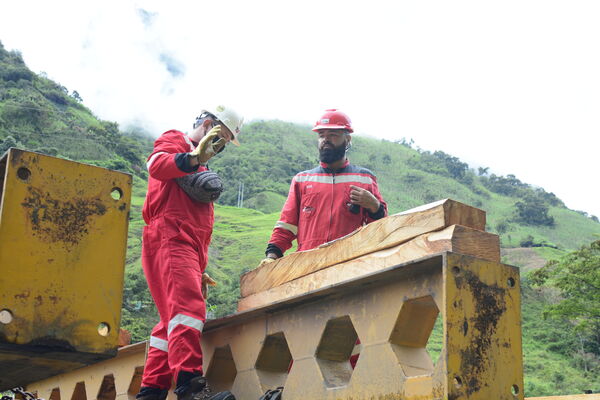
(41,115)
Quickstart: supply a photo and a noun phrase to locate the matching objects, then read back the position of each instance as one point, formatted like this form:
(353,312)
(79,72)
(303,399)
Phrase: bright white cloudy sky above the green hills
(511,85)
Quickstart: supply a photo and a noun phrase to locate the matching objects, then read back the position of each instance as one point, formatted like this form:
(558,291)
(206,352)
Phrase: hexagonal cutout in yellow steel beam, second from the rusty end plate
(334,351)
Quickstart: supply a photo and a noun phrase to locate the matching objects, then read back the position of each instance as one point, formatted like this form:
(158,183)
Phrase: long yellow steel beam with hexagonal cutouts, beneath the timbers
(392,311)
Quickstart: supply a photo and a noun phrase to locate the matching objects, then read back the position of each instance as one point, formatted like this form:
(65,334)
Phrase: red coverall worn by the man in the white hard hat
(174,256)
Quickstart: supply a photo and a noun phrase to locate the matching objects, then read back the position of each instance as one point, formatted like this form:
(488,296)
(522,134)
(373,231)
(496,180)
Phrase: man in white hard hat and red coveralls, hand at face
(175,253)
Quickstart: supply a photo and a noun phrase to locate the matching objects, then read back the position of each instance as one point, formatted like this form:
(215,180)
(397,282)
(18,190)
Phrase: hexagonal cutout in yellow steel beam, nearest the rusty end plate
(411,334)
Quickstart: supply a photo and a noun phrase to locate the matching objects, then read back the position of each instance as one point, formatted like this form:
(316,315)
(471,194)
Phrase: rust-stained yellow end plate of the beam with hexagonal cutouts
(482,329)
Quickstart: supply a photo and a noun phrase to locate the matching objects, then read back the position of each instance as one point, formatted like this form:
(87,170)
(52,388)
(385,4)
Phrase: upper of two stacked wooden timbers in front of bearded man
(379,235)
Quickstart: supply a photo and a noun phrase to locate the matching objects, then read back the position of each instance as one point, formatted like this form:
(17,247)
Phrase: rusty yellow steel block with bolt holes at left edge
(63,236)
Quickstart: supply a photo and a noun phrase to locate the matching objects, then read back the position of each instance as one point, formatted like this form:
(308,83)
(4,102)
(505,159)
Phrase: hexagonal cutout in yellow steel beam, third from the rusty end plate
(274,360)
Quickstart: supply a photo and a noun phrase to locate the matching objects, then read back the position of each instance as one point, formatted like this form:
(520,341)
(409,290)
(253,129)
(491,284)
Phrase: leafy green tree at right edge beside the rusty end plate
(577,277)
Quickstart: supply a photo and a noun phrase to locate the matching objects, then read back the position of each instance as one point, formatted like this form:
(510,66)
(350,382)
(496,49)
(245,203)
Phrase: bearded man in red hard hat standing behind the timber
(331,200)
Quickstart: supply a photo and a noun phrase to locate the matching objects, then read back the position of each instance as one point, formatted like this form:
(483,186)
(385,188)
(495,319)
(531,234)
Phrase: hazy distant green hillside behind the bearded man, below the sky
(272,152)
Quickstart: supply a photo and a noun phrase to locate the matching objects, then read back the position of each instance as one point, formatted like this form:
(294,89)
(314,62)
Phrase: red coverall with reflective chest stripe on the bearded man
(317,211)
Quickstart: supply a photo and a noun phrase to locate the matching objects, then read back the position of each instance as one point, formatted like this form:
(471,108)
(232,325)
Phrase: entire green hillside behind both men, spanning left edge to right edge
(39,114)
